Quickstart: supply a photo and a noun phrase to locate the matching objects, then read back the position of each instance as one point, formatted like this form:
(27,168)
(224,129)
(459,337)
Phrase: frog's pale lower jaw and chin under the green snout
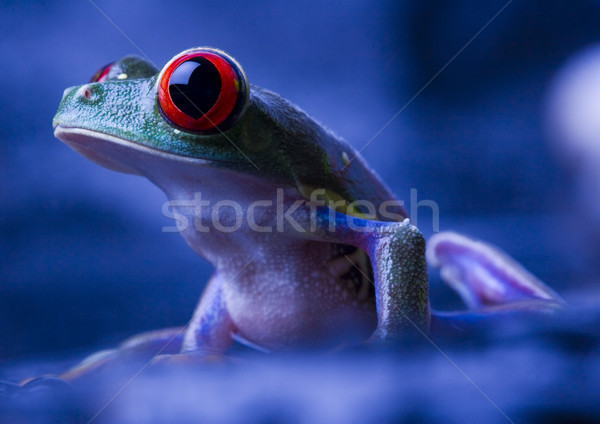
(116,153)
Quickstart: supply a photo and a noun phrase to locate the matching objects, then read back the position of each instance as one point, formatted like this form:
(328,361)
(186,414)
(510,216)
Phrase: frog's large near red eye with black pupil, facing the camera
(203,90)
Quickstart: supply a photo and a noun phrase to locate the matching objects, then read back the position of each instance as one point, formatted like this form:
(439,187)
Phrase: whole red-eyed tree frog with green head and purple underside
(310,247)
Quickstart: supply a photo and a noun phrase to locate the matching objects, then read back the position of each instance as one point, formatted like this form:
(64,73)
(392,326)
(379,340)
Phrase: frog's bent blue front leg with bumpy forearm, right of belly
(397,253)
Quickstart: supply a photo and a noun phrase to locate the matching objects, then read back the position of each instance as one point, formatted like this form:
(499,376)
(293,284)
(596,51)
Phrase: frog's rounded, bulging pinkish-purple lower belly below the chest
(293,301)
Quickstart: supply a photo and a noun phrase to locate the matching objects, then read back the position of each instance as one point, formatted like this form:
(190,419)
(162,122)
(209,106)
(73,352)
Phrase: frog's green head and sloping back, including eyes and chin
(199,111)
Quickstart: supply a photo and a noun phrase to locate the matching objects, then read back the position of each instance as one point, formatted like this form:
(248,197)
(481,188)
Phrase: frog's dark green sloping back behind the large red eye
(320,159)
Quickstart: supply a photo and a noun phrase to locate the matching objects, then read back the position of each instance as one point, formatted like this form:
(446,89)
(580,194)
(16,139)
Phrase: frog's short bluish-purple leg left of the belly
(211,326)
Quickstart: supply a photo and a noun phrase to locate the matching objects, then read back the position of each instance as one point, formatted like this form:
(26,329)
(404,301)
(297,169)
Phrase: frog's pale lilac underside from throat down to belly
(279,289)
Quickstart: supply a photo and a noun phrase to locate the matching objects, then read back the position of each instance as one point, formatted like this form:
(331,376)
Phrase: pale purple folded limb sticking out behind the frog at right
(487,278)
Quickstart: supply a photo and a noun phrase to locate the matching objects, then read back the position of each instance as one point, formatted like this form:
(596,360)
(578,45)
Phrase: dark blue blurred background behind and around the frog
(83,260)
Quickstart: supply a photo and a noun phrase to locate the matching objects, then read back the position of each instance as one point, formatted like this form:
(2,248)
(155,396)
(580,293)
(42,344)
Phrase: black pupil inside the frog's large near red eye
(195,86)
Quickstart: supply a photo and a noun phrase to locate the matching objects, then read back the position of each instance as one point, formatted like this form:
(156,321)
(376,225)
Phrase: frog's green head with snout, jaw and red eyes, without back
(182,111)
